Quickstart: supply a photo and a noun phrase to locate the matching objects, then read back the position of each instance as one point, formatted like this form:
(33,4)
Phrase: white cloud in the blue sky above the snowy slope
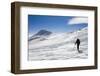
(78,20)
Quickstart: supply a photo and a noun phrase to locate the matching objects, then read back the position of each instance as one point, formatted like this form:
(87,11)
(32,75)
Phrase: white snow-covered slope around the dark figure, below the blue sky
(58,46)
